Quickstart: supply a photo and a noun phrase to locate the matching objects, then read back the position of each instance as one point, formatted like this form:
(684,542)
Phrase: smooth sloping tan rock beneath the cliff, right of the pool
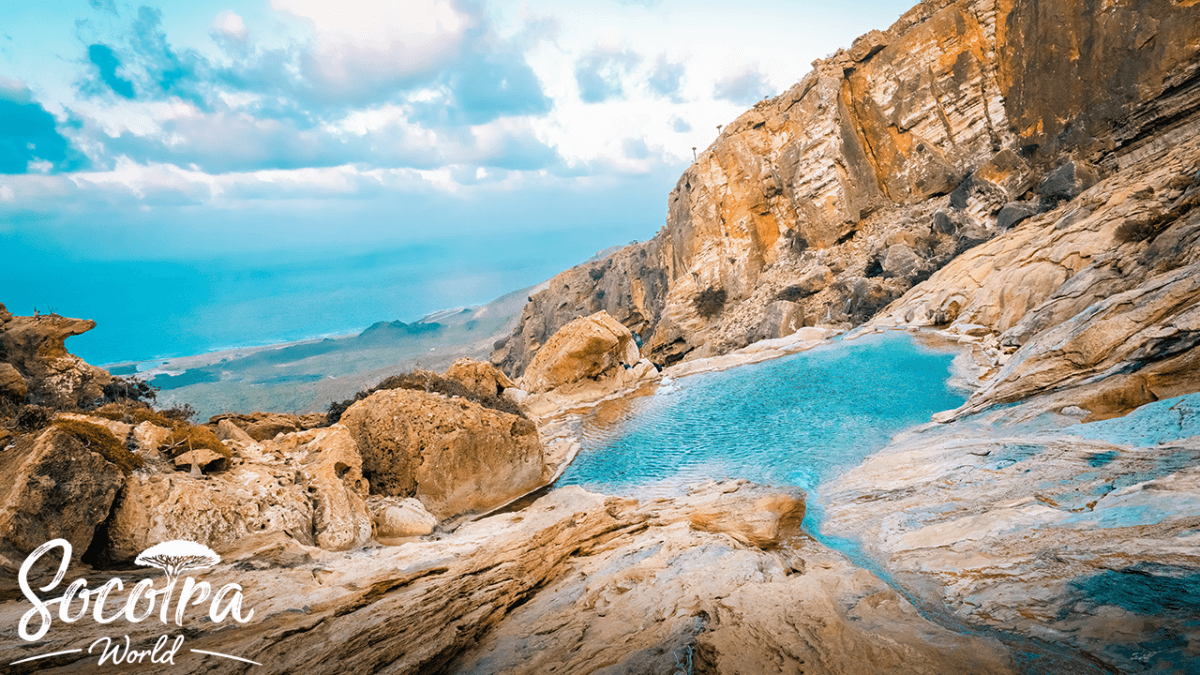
(1095,302)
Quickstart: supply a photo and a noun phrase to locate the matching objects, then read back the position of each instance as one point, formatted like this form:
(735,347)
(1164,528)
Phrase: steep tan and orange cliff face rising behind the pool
(883,165)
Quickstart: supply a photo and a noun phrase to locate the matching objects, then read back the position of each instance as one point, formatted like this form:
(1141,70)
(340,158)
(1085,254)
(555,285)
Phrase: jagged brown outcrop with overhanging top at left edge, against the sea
(34,361)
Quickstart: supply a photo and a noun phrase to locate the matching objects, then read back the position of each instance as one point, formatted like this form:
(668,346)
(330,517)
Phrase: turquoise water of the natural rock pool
(795,421)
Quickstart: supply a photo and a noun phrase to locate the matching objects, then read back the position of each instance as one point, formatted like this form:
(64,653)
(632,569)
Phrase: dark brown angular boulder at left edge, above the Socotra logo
(53,487)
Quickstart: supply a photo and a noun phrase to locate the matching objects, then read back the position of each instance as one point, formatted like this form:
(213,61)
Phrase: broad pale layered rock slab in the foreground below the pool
(579,583)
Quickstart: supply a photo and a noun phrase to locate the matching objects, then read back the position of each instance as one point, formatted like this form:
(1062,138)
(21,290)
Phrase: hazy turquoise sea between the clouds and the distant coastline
(151,310)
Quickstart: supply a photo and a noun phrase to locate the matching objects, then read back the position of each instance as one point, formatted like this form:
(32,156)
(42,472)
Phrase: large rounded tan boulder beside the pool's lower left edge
(454,456)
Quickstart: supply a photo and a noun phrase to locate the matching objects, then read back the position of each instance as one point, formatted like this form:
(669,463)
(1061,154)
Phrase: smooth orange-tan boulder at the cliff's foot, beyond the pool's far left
(589,348)
